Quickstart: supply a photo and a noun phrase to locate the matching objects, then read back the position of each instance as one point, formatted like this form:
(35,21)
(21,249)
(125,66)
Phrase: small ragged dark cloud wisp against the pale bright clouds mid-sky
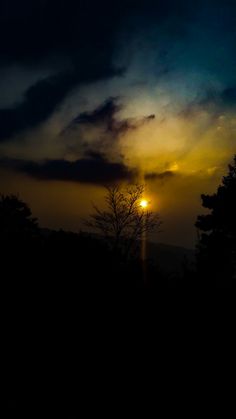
(106,115)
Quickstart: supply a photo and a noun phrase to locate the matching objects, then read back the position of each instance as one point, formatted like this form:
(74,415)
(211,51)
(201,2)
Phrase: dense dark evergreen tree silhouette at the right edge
(217,245)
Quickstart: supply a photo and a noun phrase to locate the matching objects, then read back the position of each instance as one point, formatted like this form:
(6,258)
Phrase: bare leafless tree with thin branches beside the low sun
(124,222)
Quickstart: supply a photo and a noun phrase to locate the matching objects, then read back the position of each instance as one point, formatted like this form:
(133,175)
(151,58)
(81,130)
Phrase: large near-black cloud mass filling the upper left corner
(76,35)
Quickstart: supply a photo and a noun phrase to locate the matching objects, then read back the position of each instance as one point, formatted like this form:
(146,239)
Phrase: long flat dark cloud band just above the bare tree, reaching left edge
(94,169)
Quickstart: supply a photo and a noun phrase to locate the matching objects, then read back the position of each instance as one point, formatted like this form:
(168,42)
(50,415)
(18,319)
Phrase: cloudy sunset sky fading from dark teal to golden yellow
(94,93)
